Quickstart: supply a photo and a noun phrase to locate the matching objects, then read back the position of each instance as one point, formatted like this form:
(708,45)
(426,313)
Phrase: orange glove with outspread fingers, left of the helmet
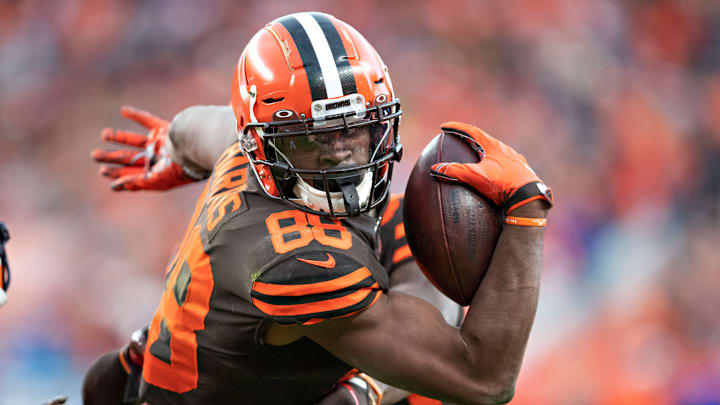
(149,169)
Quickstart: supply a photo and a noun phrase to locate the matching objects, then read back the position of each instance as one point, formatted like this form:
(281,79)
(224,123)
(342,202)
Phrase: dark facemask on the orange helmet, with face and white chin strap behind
(337,165)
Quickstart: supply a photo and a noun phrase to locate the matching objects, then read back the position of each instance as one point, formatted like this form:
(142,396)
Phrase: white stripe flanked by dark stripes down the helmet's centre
(323,55)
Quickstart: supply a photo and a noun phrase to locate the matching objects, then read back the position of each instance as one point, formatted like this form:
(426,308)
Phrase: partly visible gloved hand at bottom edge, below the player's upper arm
(355,389)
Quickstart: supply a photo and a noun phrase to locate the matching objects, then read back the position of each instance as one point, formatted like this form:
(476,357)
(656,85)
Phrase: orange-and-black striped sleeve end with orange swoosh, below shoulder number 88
(309,287)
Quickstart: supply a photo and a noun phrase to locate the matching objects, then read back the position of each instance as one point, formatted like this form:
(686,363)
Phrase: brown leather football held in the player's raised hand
(452,230)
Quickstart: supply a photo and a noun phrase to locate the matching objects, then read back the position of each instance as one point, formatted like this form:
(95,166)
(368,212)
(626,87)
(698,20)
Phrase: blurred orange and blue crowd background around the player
(616,104)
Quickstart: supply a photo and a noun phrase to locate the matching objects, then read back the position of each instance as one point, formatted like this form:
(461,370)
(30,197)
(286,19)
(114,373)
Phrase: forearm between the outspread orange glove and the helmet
(199,135)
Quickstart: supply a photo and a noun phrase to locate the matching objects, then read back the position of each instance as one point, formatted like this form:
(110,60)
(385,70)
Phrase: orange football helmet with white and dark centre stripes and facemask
(308,84)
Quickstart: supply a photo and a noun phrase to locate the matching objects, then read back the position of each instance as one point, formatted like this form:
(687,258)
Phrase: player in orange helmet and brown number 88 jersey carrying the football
(278,289)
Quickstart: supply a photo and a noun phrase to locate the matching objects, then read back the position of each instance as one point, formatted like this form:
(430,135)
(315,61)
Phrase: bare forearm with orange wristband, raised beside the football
(502,312)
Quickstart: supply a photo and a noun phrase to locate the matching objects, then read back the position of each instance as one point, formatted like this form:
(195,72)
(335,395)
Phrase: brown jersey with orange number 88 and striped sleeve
(246,261)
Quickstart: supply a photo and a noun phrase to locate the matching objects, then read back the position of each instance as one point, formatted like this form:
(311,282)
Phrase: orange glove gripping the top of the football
(502,174)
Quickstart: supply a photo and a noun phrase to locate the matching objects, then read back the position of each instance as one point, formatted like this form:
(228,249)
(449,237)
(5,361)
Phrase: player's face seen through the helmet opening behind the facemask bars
(333,150)
